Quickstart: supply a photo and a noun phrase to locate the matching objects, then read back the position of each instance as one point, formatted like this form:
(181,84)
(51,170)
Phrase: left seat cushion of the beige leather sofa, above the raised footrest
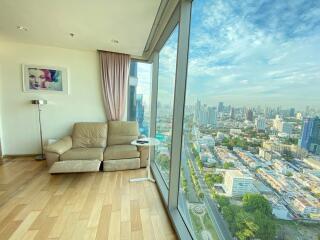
(83,154)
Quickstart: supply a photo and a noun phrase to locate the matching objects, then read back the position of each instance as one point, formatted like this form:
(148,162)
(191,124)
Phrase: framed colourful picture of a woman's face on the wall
(44,79)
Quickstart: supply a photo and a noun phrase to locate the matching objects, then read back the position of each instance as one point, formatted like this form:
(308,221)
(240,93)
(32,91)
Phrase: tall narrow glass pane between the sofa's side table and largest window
(166,81)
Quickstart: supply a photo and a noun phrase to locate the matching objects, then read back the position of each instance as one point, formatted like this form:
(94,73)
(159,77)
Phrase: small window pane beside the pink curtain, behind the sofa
(139,95)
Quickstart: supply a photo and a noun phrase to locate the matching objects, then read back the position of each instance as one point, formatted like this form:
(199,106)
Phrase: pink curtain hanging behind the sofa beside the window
(114,74)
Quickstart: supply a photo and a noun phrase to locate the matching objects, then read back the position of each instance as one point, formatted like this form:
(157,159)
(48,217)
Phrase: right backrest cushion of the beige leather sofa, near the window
(121,133)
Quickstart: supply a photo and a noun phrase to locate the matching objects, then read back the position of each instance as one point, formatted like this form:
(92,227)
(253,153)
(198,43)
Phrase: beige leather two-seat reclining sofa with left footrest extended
(95,143)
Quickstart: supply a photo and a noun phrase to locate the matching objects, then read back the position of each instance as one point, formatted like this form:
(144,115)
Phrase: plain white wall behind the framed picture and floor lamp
(20,131)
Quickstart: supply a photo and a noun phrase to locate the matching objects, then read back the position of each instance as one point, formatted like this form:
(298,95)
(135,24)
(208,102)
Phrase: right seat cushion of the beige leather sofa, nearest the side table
(120,152)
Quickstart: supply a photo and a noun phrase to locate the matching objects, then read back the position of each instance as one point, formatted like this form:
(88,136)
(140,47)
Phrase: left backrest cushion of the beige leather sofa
(89,135)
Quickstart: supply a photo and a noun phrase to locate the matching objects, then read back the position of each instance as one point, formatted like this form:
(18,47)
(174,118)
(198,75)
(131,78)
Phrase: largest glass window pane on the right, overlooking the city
(251,144)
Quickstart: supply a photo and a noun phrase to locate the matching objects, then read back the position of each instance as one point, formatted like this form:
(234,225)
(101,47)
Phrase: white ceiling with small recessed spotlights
(95,23)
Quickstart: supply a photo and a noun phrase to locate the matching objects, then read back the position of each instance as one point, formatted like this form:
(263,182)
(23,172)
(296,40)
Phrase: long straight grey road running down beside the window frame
(219,223)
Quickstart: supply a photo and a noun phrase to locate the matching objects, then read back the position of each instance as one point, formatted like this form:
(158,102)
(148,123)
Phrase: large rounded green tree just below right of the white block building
(256,202)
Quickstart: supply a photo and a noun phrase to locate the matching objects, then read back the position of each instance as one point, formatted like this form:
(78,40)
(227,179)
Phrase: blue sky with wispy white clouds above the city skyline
(246,53)
